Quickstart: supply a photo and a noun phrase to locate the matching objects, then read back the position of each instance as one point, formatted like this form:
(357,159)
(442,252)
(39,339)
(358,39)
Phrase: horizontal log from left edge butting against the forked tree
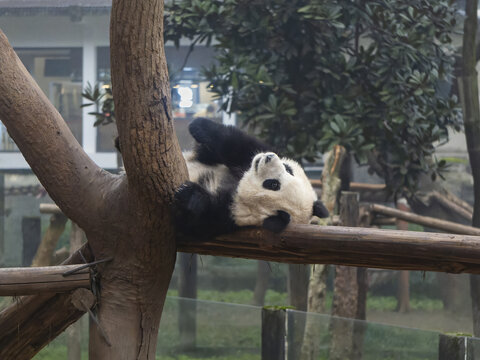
(36,280)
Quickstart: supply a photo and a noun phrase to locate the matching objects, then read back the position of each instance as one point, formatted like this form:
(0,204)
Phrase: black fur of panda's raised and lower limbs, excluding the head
(198,212)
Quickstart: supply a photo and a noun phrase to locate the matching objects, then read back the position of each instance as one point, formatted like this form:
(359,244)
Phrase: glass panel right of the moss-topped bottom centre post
(372,341)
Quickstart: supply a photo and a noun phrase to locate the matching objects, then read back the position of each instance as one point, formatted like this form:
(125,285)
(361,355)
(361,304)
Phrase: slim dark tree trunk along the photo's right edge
(471,118)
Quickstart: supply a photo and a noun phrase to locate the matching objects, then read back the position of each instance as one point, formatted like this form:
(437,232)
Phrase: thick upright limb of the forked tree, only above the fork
(150,148)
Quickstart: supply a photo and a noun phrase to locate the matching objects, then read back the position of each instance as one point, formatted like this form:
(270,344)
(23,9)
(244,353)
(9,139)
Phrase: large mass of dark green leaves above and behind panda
(310,74)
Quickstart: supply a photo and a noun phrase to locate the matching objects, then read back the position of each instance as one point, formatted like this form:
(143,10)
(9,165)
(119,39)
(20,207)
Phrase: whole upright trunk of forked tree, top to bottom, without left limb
(135,284)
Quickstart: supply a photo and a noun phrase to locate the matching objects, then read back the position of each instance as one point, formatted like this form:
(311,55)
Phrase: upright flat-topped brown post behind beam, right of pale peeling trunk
(345,295)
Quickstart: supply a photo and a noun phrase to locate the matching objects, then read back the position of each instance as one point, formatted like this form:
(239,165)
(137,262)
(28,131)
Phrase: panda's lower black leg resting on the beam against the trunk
(202,214)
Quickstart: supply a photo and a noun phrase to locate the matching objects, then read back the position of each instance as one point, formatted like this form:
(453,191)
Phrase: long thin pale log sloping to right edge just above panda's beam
(448,226)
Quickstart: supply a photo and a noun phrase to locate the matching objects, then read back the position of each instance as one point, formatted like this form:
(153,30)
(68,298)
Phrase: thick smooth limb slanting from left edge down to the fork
(47,143)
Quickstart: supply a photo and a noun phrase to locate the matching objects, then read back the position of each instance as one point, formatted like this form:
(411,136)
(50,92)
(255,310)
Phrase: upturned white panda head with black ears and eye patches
(275,189)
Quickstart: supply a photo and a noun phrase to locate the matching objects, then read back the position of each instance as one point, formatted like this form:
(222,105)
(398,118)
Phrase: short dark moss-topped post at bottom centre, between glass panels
(274,334)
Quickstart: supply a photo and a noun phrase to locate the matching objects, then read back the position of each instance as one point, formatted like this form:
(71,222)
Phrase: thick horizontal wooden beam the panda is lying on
(364,247)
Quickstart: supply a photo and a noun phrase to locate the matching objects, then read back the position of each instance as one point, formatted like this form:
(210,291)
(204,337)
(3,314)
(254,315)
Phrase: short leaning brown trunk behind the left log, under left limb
(44,254)
